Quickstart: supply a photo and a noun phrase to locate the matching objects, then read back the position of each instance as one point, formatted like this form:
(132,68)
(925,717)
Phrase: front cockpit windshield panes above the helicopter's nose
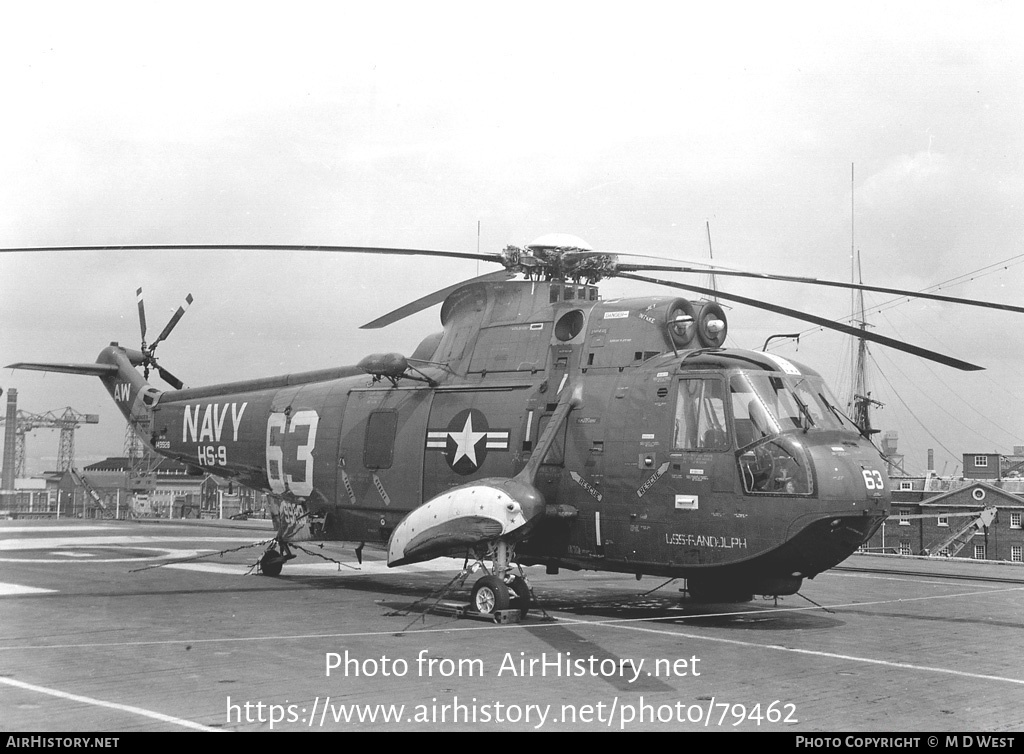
(766,405)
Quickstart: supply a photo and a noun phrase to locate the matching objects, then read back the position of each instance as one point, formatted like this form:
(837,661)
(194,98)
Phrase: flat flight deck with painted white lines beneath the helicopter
(90,644)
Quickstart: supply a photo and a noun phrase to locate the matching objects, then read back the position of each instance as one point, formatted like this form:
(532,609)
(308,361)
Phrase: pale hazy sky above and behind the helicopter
(794,132)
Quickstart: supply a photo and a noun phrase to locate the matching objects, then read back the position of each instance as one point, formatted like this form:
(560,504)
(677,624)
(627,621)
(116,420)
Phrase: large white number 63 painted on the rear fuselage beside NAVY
(290,452)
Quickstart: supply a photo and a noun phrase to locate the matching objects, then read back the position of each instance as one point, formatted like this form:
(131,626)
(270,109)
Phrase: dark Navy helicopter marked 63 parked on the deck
(544,426)
